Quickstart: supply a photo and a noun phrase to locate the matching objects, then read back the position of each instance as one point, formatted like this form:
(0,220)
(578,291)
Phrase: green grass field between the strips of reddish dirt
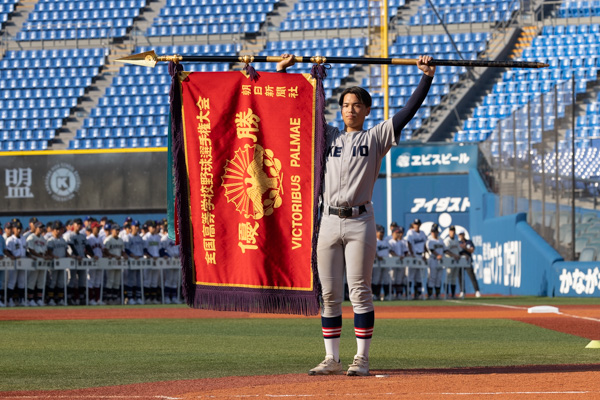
(77,354)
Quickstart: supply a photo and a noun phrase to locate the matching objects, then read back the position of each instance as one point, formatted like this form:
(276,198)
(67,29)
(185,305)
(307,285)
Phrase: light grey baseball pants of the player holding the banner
(350,243)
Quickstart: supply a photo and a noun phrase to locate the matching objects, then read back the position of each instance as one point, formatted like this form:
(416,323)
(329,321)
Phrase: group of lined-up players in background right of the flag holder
(432,249)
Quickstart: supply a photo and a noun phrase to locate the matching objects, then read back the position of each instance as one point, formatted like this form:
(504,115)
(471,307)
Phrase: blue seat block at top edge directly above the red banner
(204,17)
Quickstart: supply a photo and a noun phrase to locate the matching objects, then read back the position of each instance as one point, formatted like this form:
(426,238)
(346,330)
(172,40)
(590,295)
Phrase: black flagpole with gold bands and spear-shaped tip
(150,59)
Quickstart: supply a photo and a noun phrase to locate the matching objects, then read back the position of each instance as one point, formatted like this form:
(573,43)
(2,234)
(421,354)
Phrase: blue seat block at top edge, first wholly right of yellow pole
(461,12)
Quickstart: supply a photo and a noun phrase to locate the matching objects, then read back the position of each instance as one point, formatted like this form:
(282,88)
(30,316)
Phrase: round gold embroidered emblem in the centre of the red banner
(253,181)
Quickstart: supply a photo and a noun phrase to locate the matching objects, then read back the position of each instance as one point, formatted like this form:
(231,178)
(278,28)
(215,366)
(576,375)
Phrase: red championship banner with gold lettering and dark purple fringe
(250,156)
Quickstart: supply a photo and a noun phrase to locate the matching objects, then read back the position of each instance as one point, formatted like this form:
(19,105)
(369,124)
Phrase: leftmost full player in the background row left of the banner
(16,248)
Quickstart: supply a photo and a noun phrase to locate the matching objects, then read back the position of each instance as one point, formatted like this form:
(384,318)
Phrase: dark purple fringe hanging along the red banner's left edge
(181,185)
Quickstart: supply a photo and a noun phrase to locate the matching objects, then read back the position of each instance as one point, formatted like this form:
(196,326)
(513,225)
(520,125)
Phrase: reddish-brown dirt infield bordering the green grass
(548,382)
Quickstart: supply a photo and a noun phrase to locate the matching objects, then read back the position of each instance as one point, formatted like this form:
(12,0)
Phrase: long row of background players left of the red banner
(89,239)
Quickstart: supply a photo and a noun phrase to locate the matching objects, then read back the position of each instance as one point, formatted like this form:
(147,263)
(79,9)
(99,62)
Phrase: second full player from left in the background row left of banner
(37,249)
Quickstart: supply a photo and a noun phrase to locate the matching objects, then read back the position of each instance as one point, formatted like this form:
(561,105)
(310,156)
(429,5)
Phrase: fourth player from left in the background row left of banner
(76,242)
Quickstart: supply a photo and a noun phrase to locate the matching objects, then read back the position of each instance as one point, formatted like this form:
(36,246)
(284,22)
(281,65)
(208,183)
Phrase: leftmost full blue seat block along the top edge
(80,19)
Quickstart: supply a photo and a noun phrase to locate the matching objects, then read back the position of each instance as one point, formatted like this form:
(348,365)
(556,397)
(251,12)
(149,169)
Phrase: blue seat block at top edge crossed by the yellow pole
(335,14)
